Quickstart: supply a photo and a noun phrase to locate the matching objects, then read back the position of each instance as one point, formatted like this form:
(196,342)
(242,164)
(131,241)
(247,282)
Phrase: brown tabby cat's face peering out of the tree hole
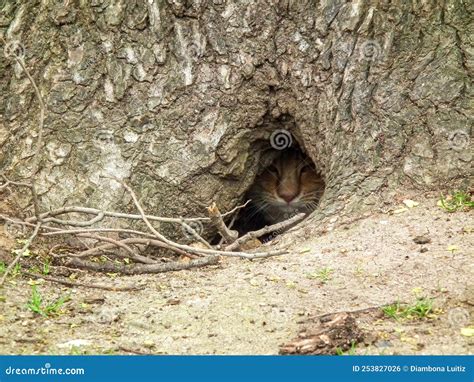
(290,185)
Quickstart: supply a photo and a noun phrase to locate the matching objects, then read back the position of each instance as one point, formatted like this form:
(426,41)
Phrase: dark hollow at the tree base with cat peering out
(287,183)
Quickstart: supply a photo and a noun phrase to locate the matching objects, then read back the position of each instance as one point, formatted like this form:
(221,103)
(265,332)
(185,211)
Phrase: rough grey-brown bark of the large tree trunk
(178,97)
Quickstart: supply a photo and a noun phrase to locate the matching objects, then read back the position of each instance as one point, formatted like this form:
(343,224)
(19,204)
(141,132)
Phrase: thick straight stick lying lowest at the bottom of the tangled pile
(135,269)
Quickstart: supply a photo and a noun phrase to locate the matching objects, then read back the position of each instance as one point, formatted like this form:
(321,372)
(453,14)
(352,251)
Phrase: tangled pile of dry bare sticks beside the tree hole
(133,244)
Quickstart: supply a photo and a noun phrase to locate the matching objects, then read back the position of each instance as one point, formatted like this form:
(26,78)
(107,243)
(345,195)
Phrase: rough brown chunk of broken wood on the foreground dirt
(326,337)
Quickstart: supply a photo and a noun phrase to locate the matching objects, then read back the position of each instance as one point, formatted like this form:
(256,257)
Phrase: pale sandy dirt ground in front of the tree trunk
(253,307)
